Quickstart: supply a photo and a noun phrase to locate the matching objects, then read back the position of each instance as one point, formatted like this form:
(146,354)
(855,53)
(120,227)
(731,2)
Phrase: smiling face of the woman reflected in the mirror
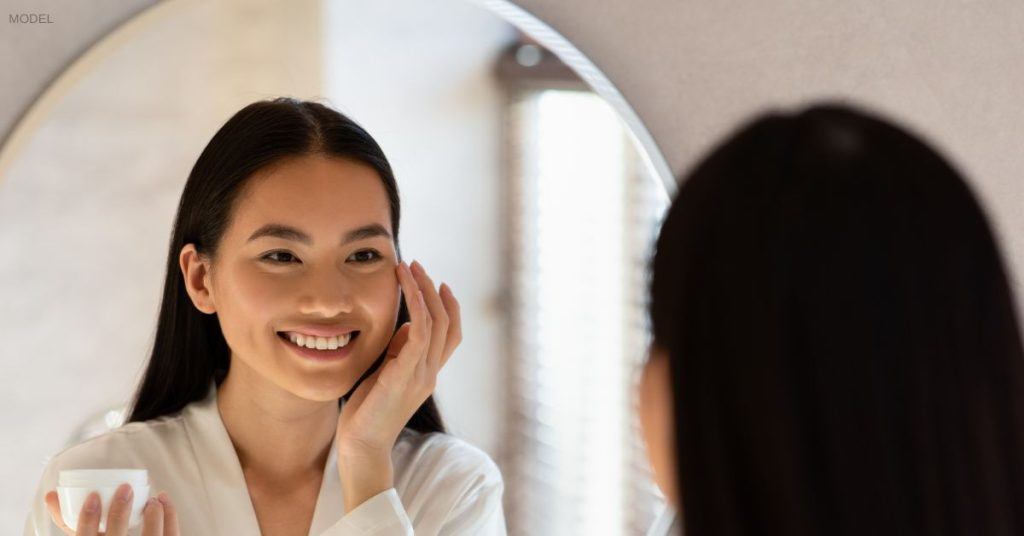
(335,272)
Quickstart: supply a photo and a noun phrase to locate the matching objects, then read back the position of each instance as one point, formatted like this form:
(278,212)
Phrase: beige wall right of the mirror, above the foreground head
(953,70)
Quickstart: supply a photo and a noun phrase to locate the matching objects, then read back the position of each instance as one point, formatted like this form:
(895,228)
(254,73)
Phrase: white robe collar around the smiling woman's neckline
(228,497)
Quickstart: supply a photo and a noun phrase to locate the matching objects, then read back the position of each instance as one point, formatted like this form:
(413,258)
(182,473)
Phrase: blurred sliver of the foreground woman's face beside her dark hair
(657,422)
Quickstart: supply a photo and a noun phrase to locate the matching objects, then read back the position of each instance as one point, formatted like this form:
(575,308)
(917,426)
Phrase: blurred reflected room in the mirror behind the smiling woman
(522,188)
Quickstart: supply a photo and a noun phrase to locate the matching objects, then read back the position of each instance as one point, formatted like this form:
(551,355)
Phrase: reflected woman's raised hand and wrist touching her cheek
(380,407)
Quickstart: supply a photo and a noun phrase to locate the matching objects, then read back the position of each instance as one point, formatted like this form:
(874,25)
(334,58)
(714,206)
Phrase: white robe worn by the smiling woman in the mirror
(443,485)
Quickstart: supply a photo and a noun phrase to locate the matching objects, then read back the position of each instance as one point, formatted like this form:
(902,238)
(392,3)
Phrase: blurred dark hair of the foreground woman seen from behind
(843,343)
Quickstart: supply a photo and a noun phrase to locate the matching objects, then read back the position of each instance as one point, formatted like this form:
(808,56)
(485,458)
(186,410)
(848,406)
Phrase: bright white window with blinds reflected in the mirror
(582,216)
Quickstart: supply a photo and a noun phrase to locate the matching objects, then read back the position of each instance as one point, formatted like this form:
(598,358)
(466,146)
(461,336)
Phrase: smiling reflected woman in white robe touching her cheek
(289,387)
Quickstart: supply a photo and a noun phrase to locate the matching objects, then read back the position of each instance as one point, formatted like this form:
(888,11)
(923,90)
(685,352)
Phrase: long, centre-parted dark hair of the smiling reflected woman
(190,350)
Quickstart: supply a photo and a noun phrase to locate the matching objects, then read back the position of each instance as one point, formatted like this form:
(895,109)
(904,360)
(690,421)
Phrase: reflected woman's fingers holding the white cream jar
(159,516)
